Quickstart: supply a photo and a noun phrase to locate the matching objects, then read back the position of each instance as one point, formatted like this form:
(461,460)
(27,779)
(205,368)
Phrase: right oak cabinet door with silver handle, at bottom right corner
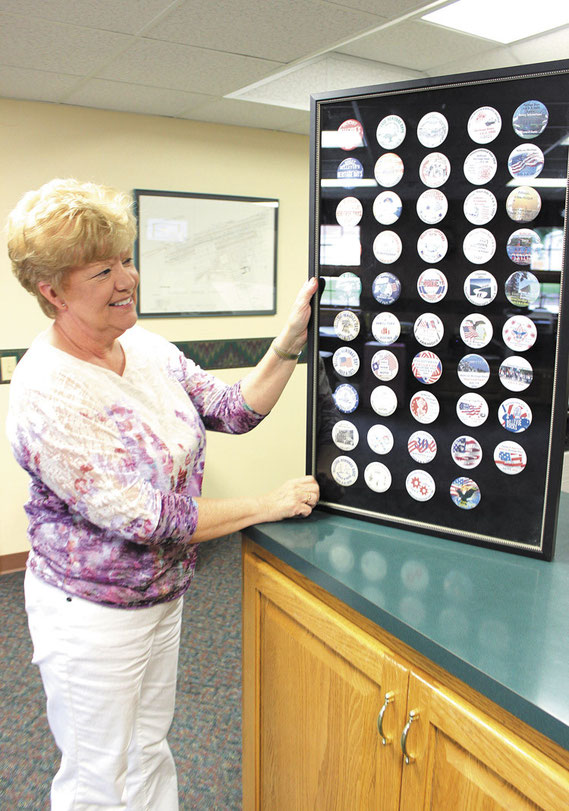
(461,760)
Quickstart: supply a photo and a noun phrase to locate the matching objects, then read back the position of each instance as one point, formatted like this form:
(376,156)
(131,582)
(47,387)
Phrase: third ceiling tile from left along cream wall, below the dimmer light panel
(243,114)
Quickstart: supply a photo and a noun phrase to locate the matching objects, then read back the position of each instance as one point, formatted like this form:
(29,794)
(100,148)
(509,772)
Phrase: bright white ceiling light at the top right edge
(502,20)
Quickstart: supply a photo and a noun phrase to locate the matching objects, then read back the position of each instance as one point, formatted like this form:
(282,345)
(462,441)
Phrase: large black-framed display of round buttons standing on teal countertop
(439,347)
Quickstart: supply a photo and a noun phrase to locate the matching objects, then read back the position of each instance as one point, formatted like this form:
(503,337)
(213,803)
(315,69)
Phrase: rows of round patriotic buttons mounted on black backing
(521,288)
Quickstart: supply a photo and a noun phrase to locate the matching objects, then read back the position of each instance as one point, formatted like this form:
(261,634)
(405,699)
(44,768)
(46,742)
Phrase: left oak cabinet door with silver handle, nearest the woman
(314,684)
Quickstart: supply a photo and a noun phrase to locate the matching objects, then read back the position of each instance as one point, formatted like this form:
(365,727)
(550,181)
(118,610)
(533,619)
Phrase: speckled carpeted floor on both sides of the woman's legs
(206,734)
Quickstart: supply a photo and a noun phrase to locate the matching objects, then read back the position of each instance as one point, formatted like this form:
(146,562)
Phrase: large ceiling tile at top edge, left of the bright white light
(283,30)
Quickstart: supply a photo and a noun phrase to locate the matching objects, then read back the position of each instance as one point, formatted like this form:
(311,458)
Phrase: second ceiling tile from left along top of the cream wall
(131,98)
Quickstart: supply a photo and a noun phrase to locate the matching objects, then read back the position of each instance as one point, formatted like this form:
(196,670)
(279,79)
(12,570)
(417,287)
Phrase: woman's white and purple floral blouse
(115,464)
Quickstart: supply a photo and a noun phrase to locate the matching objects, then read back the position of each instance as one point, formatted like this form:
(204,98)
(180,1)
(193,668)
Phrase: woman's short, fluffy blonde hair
(66,224)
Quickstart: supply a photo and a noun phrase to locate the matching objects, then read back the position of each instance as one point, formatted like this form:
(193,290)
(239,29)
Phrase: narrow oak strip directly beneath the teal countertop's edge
(420,662)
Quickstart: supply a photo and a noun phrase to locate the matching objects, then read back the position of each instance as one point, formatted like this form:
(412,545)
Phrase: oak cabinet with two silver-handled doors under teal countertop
(317,689)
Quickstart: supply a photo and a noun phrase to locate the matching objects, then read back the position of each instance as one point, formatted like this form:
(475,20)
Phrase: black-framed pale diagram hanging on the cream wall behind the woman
(205,254)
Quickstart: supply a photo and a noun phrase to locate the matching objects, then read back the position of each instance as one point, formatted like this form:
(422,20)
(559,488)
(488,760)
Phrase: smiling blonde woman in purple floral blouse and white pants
(109,421)
